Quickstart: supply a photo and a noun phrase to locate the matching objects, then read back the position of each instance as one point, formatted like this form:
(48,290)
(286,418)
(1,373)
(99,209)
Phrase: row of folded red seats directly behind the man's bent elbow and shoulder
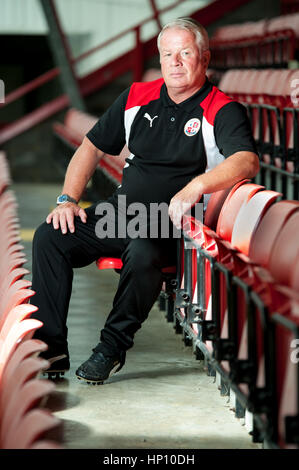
(272,99)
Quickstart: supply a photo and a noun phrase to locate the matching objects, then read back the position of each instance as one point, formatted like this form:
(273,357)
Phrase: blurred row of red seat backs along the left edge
(24,421)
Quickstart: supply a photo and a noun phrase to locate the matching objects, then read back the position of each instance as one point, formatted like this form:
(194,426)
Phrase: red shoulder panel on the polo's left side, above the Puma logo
(141,93)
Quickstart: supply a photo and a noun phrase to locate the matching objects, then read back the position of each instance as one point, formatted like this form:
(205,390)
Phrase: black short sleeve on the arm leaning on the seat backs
(233,131)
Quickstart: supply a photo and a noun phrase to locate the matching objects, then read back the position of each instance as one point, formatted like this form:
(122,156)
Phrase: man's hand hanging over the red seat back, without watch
(182,202)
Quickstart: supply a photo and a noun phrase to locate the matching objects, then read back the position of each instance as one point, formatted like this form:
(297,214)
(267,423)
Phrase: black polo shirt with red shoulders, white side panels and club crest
(170,143)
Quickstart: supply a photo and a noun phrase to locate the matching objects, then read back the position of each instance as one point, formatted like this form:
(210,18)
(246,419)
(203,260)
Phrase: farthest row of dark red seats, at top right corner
(268,42)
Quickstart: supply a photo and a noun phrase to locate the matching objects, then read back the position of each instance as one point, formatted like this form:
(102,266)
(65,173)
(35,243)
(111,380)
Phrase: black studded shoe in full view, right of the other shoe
(99,367)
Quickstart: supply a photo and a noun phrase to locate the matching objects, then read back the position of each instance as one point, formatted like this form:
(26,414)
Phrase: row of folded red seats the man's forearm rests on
(237,298)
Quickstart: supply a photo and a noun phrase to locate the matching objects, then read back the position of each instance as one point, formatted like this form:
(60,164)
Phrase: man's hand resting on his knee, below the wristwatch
(63,216)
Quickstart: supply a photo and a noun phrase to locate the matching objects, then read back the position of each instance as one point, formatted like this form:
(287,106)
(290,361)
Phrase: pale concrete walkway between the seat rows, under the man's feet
(161,399)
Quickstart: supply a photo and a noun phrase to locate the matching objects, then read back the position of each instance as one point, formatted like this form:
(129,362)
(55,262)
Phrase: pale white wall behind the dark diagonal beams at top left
(88,23)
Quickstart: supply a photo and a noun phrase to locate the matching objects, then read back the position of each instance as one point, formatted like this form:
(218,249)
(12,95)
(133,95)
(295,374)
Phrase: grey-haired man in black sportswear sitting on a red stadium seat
(187,139)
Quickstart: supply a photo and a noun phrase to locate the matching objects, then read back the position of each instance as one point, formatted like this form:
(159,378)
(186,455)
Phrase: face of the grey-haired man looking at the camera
(181,64)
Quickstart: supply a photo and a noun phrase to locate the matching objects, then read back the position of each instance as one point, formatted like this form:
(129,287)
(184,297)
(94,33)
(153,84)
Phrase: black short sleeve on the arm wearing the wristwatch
(108,134)
